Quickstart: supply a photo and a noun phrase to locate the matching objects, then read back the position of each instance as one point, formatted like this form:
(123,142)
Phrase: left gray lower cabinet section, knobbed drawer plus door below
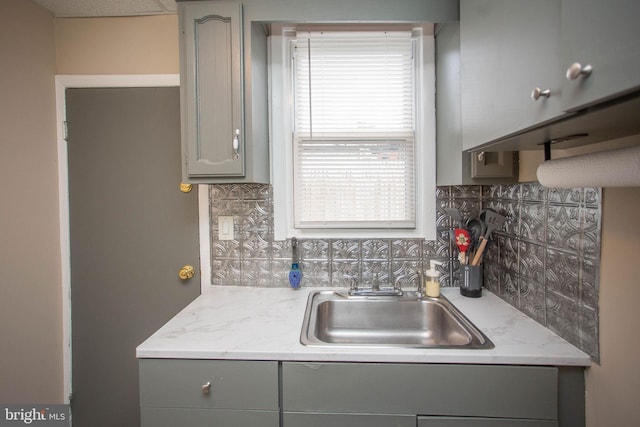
(217,393)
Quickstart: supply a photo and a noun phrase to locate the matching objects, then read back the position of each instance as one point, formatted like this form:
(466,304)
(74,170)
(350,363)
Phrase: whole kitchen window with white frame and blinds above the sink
(353,133)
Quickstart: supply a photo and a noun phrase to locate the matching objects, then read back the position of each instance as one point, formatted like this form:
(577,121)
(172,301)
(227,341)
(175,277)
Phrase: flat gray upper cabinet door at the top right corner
(606,36)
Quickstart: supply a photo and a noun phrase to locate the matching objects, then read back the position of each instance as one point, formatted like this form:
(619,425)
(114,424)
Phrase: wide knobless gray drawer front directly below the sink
(458,390)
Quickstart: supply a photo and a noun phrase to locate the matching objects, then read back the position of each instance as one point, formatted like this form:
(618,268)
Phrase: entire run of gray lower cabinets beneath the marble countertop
(232,393)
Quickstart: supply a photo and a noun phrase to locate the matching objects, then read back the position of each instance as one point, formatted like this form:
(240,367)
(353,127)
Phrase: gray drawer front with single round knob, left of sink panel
(234,384)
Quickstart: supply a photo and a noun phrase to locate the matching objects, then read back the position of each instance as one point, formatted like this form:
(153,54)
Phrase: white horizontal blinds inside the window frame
(354,130)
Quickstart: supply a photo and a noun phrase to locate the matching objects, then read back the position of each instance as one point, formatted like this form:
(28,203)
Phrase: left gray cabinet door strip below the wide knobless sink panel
(314,419)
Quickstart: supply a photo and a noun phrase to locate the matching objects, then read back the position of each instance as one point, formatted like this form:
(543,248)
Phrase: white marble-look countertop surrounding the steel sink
(265,323)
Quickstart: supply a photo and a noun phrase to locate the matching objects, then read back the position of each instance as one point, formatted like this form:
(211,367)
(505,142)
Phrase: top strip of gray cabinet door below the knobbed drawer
(189,417)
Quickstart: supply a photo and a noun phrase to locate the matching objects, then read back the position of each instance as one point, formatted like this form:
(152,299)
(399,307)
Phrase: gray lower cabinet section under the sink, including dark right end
(438,395)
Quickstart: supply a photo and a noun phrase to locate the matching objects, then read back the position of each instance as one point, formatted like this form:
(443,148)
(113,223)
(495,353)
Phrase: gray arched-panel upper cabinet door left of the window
(212,90)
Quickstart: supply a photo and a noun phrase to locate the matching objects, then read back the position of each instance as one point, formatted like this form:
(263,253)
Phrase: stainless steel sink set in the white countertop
(337,319)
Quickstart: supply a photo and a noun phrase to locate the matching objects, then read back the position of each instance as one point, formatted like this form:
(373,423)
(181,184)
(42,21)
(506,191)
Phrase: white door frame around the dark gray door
(62,83)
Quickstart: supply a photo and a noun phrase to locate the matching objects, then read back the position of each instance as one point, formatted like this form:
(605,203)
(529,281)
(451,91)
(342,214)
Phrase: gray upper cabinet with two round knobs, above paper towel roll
(525,76)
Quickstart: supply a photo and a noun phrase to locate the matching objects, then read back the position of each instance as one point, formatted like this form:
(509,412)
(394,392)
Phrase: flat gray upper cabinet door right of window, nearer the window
(510,57)
